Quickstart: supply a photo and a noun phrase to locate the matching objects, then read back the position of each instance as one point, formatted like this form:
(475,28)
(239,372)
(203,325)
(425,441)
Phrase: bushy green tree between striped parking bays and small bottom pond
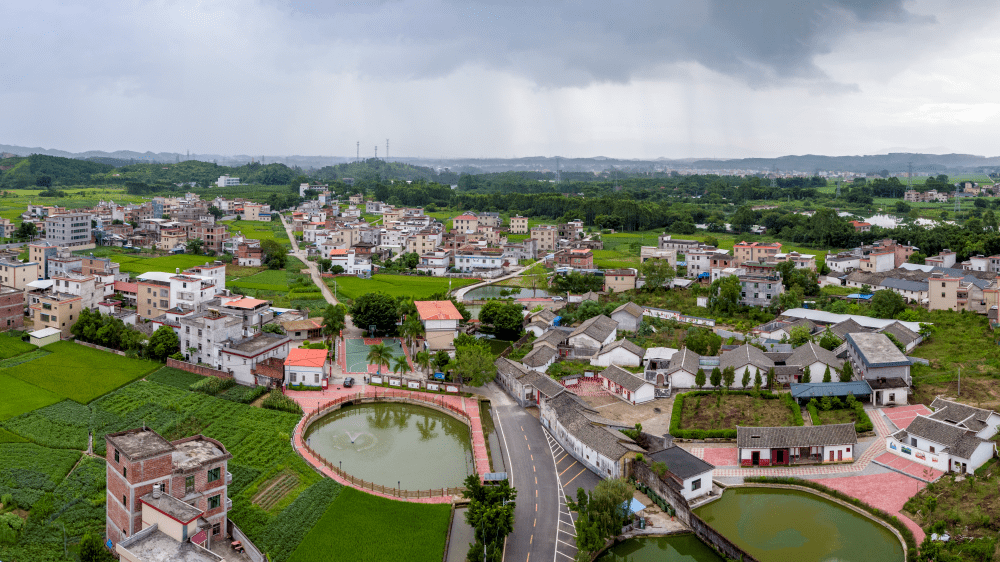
(601,514)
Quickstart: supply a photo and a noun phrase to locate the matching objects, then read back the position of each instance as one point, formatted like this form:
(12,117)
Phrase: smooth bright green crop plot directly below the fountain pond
(404,531)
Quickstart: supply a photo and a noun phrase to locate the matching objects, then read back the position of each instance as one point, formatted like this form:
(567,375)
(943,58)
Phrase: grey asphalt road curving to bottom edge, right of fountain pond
(531,470)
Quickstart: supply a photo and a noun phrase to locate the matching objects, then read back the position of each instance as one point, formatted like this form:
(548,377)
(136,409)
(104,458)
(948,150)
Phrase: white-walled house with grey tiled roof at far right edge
(941,445)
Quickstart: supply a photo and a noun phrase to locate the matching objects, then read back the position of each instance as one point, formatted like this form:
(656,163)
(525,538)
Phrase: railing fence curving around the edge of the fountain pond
(388,395)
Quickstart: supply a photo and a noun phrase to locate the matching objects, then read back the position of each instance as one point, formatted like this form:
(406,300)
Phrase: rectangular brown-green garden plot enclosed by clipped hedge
(726,411)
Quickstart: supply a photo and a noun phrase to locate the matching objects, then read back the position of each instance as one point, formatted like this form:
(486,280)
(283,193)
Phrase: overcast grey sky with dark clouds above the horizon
(479,78)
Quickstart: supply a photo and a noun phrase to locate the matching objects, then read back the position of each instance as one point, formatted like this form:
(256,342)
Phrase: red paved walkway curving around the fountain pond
(311,400)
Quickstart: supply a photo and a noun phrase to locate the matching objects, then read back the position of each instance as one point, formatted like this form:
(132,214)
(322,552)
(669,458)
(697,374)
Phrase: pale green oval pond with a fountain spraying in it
(420,448)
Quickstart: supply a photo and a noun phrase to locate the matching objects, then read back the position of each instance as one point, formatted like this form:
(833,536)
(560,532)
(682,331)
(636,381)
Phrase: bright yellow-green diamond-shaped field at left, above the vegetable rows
(80,373)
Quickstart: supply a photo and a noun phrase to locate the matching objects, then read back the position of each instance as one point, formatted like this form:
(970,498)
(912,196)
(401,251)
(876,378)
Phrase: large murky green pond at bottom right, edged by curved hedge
(777,524)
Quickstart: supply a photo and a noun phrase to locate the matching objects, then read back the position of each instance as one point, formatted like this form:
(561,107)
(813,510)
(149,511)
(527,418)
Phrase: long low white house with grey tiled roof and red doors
(782,446)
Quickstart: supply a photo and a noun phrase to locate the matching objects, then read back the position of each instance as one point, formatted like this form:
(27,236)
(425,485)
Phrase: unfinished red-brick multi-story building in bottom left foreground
(163,496)
